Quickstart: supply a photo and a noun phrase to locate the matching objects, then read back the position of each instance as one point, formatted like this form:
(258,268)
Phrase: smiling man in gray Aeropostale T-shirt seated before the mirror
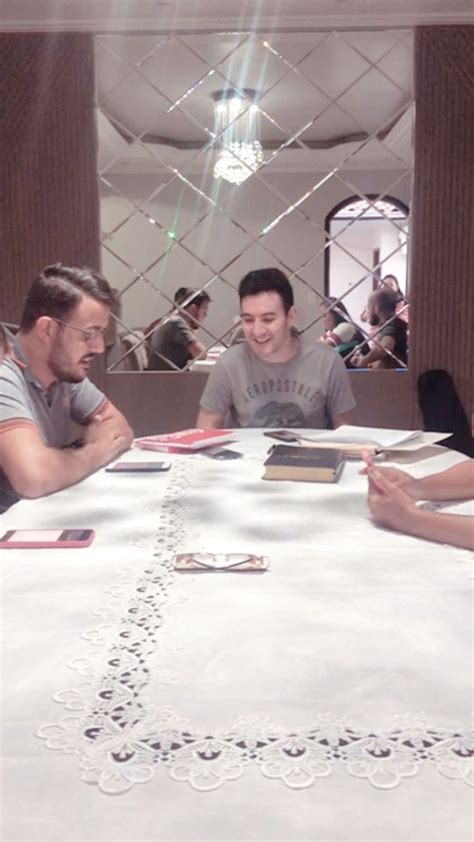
(274,378)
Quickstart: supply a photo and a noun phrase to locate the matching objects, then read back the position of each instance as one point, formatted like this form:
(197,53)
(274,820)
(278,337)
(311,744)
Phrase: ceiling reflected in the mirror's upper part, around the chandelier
(323,96)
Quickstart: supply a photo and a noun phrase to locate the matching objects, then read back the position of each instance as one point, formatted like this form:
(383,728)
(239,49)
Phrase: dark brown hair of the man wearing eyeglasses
(58,289)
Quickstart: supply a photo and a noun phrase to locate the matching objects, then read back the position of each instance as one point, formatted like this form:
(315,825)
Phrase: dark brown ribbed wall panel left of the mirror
(48,150)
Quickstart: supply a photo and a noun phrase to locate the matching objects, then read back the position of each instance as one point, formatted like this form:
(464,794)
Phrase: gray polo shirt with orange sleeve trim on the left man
(24,401)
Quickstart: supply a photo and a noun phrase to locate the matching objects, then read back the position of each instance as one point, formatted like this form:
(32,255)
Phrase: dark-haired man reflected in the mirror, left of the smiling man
(174,344)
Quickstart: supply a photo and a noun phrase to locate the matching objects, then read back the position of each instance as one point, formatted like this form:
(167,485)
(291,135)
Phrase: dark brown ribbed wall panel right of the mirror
(443,205)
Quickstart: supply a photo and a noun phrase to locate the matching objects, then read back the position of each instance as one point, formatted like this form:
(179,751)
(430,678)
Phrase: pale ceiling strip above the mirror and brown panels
(129,15)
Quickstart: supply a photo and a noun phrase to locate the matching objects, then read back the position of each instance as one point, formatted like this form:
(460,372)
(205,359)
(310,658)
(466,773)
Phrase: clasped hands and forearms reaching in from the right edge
(393,493)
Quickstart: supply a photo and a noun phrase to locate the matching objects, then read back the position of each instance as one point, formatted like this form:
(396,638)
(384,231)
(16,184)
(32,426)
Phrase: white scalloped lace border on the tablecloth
(121,743)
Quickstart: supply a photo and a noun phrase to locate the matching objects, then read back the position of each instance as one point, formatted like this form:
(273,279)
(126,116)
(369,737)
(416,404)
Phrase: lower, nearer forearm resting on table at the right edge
(457,530)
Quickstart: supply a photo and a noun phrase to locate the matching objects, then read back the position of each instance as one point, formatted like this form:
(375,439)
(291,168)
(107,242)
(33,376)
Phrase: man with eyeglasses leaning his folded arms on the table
(44,388)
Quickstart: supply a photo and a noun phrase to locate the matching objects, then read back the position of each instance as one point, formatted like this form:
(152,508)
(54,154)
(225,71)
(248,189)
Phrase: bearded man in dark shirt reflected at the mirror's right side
(391,333)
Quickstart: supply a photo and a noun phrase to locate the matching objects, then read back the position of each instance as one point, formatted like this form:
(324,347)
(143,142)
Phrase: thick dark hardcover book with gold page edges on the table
(303,464)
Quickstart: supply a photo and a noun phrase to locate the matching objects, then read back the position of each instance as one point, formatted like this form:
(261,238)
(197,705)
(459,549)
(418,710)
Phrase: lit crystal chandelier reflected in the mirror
(237,125)
